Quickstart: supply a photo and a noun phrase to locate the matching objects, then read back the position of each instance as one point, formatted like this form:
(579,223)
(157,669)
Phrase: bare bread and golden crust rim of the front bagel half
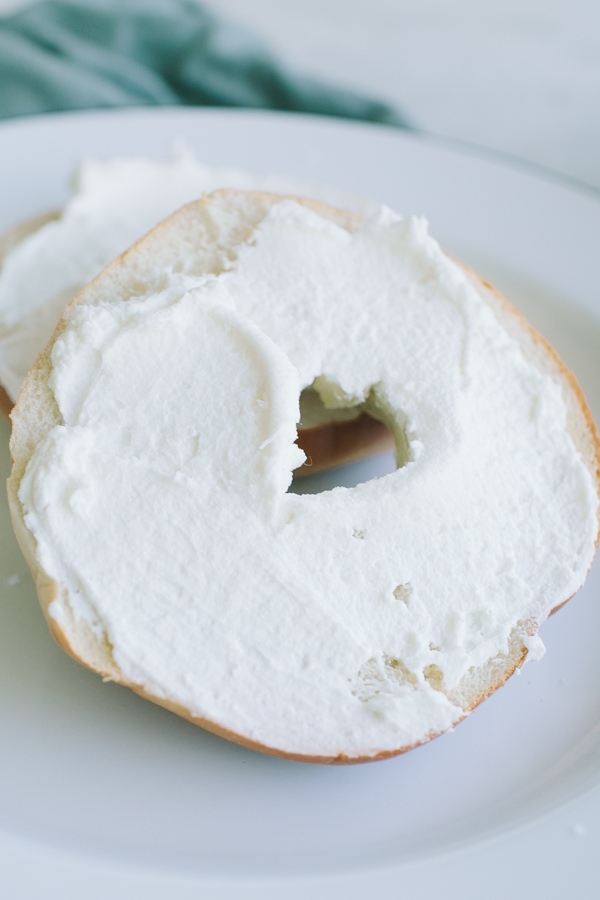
(36,413)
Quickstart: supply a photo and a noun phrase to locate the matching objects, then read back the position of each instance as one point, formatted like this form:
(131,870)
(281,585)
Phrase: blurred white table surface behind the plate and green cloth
(521,77)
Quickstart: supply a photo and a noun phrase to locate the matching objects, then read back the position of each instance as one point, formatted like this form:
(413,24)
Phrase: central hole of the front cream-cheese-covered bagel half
(345,446)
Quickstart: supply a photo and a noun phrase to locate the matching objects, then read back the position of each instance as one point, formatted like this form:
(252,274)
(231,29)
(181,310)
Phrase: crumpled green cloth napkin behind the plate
(78,54)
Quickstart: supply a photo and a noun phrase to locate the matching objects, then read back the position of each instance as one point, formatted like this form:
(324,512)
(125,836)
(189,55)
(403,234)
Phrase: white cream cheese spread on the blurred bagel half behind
(115,203)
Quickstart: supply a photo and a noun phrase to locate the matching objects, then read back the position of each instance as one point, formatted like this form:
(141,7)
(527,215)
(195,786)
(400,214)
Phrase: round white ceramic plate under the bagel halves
(103,794)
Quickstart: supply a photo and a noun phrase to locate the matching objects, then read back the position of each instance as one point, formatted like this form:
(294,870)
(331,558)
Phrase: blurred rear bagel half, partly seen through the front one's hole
(51,257)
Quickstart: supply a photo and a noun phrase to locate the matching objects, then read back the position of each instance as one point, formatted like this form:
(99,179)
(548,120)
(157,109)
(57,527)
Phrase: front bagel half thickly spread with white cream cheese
(340,627)
